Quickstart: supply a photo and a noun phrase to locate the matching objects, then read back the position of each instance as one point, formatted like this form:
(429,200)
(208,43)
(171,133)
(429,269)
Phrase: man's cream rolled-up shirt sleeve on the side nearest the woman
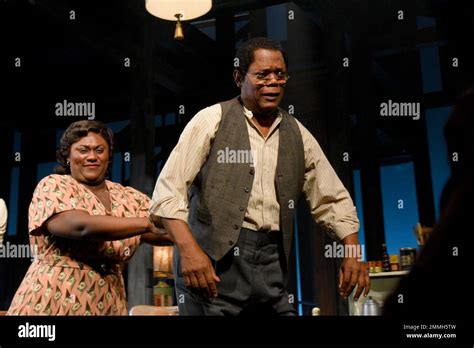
(170,196)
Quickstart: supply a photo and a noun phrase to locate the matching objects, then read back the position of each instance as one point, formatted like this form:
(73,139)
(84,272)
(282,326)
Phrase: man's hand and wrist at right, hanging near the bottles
(353,273)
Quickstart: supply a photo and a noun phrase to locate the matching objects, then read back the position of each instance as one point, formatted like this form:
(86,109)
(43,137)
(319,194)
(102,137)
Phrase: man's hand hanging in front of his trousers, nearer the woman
(198,271)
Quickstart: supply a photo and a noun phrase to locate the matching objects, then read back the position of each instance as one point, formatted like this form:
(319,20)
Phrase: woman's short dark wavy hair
(76,131)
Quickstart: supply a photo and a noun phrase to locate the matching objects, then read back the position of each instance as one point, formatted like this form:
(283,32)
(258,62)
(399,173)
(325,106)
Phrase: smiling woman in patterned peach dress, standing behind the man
(84,229)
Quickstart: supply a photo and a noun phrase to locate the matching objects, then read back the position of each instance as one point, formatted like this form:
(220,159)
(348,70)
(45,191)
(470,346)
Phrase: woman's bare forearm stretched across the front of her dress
(78,224)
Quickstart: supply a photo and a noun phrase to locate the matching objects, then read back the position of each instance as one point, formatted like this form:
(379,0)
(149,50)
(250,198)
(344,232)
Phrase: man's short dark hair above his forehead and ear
(246,51)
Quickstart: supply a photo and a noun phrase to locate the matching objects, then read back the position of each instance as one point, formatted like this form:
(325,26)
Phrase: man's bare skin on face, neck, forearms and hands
(262,98)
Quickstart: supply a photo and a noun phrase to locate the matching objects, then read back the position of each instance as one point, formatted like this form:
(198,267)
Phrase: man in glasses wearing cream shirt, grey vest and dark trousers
(243,164)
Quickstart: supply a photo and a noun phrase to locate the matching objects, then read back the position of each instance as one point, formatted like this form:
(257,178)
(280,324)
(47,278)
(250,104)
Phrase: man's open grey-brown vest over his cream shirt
(219,196)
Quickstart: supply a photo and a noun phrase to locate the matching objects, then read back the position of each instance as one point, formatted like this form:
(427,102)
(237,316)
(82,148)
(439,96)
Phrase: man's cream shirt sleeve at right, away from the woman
(330,203)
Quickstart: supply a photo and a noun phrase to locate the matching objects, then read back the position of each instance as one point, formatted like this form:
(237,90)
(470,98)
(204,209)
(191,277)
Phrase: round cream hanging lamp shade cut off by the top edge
(168,9)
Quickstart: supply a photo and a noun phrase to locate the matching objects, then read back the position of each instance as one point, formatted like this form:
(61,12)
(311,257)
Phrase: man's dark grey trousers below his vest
(252,280)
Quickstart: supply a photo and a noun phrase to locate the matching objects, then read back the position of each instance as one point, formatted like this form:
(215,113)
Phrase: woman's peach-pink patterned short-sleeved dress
(71,276)
